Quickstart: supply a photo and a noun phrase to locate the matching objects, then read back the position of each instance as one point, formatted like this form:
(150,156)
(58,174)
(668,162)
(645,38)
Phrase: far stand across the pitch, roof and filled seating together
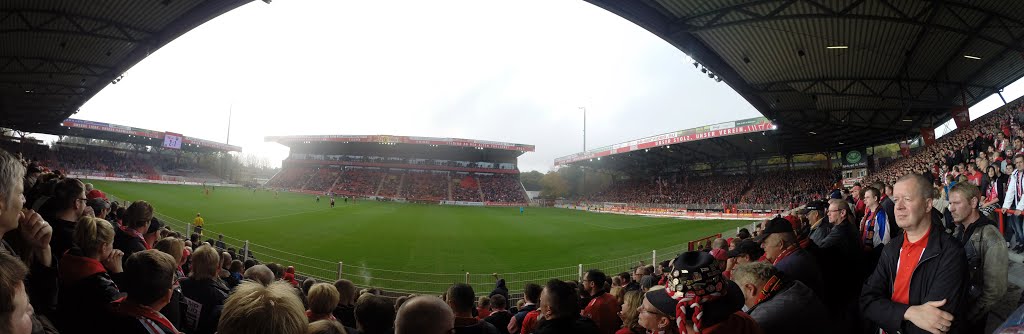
(404,169)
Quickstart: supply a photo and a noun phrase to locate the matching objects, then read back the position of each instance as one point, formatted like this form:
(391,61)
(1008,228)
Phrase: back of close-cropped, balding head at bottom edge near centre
(424,315)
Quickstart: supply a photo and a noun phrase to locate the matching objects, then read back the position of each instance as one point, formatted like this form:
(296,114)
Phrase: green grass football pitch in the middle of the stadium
(416,247)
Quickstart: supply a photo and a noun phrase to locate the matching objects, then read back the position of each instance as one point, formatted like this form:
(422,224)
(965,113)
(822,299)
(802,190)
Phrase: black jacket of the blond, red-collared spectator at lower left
(87,290)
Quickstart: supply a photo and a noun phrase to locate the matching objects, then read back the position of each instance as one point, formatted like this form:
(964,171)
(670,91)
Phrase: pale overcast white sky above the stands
(505,71)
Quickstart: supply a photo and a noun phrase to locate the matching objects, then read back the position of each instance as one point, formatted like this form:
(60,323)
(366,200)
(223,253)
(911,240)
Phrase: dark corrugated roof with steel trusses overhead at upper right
(855,72)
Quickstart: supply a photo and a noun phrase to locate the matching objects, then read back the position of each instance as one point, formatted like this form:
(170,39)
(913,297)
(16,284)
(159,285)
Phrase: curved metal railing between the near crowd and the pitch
(398,283)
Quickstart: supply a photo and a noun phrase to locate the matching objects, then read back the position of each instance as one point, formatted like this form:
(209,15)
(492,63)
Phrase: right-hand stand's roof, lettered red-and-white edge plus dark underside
(713,143)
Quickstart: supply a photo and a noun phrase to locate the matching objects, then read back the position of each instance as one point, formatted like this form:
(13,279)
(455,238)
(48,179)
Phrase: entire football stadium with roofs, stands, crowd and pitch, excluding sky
(834,212)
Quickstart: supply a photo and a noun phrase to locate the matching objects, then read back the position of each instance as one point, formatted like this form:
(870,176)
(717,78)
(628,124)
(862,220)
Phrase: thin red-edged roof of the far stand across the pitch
(291,141)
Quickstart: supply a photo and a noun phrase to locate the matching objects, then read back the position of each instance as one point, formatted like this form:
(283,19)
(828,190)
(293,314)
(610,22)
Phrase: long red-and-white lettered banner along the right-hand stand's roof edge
(699,134)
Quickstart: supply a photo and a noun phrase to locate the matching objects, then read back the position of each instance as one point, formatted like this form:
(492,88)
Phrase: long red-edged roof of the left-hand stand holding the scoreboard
(123,134)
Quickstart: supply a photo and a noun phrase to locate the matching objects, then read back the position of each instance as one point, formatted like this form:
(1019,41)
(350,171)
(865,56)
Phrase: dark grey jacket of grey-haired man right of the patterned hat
(795,310)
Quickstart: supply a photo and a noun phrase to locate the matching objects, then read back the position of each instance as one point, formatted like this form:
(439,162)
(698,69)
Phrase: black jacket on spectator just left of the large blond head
(202,303)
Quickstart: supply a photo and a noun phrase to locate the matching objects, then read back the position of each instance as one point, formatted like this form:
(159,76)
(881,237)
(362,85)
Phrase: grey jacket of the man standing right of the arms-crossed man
(987,253)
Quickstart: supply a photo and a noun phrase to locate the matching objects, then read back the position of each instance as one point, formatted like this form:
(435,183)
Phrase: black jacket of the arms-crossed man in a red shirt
(942,274)
